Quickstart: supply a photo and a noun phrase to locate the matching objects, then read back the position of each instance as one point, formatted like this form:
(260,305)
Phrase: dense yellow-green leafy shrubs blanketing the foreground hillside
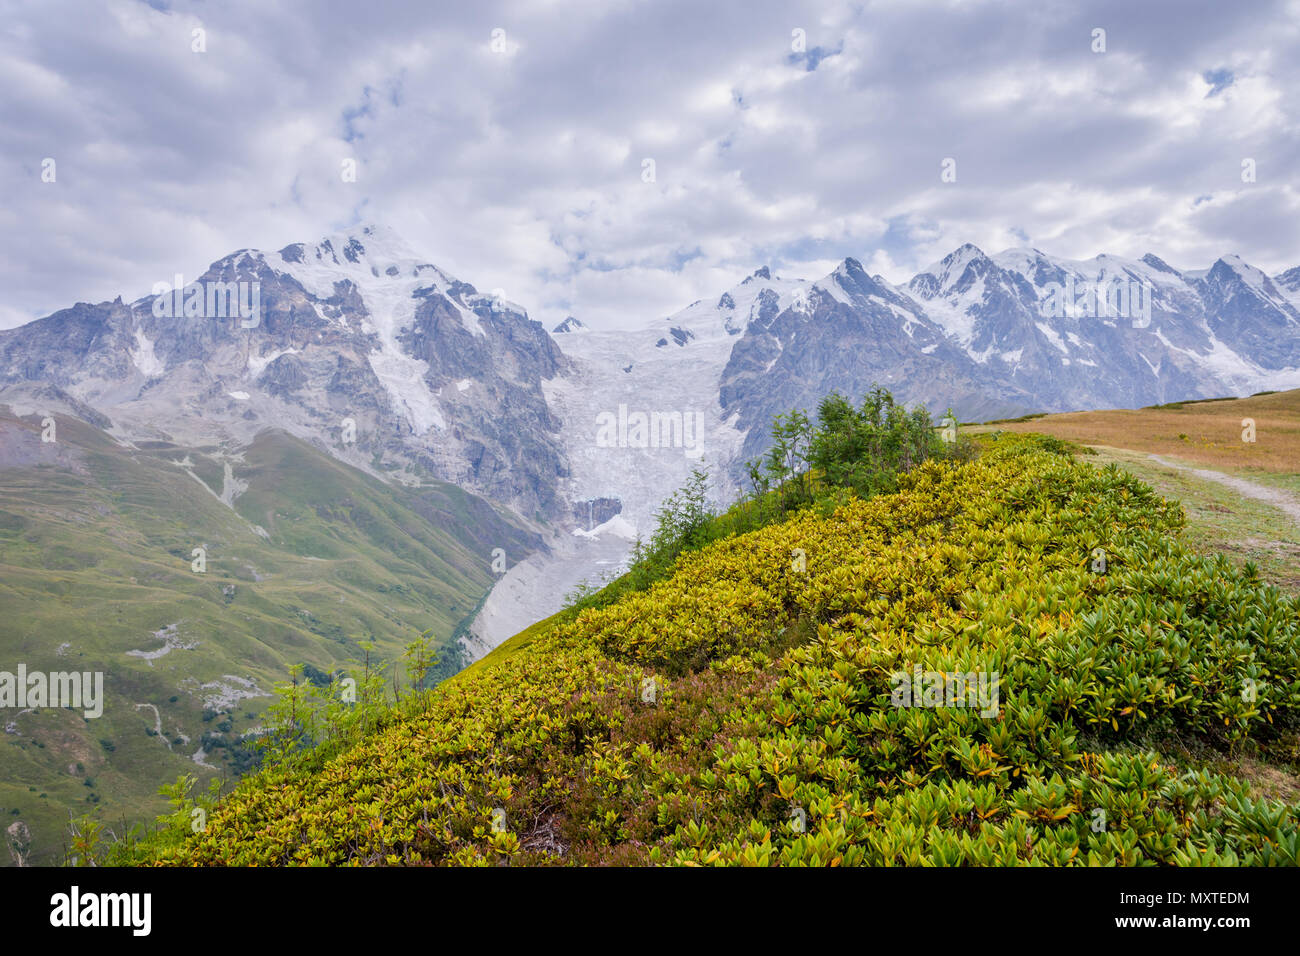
(769,736)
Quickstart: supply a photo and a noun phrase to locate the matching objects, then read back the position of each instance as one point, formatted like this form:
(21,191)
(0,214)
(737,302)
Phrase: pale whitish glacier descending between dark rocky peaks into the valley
(648,371)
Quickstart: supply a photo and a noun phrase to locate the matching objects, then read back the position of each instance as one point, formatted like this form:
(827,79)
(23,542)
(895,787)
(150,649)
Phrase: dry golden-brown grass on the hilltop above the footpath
(1204,432)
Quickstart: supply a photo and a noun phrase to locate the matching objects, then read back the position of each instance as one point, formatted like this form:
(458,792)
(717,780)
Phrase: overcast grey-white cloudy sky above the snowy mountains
(508,142)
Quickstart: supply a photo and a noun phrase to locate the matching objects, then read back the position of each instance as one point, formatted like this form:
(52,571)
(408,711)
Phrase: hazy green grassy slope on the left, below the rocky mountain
(96,546)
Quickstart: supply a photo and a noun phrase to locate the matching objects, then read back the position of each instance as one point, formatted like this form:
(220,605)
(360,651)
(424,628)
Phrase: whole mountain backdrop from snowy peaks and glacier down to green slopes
(387,451)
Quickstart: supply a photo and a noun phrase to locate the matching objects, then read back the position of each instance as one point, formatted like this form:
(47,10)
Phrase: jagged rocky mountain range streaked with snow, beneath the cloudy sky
(396,367)
